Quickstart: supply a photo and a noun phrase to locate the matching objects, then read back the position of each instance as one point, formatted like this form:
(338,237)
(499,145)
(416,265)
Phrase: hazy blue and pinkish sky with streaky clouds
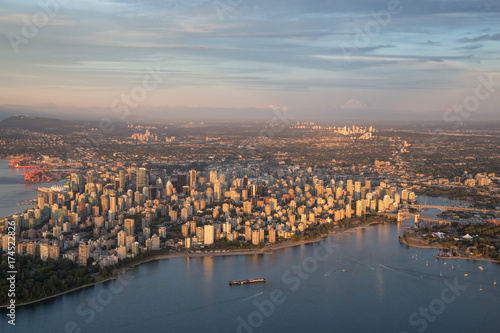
(328,59)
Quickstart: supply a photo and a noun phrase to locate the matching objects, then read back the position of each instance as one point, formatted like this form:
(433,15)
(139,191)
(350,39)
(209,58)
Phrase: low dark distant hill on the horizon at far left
(38,124)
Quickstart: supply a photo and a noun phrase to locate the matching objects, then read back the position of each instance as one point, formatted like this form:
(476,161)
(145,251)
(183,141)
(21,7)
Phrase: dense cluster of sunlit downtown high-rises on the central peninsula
(111,213)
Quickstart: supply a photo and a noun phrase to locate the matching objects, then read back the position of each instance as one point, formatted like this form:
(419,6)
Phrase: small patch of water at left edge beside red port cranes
(12,192)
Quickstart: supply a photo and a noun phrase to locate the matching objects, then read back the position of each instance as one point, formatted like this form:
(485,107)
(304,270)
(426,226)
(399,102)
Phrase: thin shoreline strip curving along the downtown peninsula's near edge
(269,250)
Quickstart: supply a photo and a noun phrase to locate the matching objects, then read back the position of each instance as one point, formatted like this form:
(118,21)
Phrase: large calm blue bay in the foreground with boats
(369,282)
